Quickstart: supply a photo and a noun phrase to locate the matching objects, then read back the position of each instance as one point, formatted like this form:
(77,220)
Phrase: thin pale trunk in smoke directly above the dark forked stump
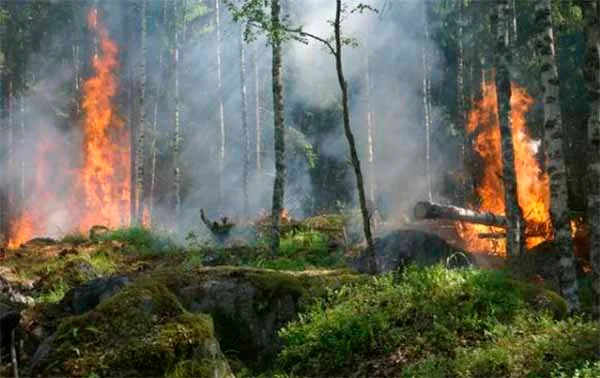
(221,109)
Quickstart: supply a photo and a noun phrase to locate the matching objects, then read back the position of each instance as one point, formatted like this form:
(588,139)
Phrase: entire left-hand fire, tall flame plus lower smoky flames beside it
(99,189)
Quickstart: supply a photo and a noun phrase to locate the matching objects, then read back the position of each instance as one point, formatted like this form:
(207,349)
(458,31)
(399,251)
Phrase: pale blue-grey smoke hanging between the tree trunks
(393,41)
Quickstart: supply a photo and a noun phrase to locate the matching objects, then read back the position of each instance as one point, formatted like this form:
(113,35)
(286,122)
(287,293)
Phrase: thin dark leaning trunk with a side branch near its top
(350,137)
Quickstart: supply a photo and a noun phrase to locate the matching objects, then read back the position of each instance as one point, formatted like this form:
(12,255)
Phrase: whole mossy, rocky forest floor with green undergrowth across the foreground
(132,302)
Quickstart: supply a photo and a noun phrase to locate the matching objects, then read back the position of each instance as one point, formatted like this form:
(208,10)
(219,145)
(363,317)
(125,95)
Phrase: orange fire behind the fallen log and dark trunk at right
(532,183)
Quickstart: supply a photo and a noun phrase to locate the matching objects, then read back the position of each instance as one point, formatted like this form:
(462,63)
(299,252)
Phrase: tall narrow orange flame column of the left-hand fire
(105,175)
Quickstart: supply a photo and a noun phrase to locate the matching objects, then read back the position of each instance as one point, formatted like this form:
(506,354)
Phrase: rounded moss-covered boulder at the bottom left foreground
(141,331)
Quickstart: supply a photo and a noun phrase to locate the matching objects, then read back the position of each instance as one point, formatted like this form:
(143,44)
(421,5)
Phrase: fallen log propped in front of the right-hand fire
(430,210)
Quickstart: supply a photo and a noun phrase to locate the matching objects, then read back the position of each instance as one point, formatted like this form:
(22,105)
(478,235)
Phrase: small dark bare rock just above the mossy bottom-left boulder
(84,298)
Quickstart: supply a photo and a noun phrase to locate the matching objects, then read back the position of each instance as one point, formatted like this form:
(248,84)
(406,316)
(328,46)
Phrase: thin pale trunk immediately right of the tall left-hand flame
(140,154)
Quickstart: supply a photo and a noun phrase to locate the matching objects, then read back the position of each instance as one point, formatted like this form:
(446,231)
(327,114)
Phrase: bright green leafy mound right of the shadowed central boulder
(433,311)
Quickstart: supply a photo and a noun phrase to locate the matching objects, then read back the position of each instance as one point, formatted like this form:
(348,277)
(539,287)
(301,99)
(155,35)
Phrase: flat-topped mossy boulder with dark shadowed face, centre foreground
(248,305)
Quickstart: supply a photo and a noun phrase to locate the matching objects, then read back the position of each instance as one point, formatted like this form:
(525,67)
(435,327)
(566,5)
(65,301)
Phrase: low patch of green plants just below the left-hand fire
(141,240)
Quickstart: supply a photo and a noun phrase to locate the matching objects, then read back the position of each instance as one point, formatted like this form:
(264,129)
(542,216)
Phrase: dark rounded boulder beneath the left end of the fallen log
(401,248)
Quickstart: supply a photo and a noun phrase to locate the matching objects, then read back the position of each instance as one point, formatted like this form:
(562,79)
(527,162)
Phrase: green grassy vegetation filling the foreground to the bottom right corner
(443,323)
